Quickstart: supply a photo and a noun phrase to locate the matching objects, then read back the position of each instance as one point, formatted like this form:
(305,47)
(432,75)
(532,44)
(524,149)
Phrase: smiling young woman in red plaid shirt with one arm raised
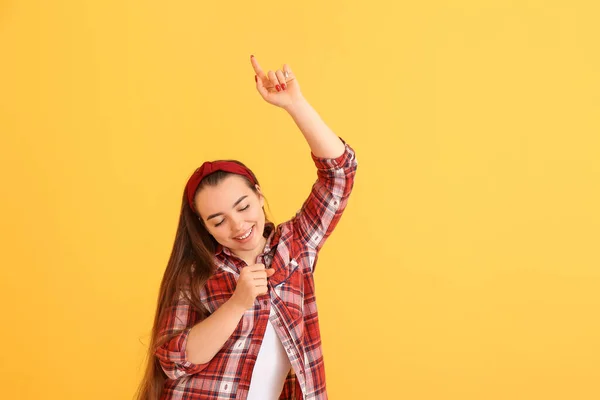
(236,315)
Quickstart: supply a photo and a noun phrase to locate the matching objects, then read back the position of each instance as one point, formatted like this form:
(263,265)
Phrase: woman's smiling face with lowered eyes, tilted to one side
(230,211)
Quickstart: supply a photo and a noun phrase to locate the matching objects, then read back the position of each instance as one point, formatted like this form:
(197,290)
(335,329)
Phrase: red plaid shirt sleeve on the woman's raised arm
(327,200)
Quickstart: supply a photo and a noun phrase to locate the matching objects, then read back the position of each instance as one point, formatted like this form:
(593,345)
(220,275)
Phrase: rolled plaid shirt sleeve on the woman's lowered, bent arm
(172,354)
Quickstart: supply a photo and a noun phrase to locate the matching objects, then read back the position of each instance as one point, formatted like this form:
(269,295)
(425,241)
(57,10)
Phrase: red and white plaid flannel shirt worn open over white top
(292,249)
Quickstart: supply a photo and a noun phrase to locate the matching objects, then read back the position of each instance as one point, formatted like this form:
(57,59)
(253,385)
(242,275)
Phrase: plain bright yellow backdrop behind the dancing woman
(466,265)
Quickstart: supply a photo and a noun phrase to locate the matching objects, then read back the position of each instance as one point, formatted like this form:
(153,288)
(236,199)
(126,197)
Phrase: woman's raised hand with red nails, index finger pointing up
(279,88)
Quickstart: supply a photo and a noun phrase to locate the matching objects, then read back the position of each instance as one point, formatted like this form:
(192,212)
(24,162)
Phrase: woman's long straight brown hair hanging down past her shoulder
(193,246)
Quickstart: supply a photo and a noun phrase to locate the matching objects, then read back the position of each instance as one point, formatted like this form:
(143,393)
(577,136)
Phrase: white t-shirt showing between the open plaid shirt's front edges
(271,368)
